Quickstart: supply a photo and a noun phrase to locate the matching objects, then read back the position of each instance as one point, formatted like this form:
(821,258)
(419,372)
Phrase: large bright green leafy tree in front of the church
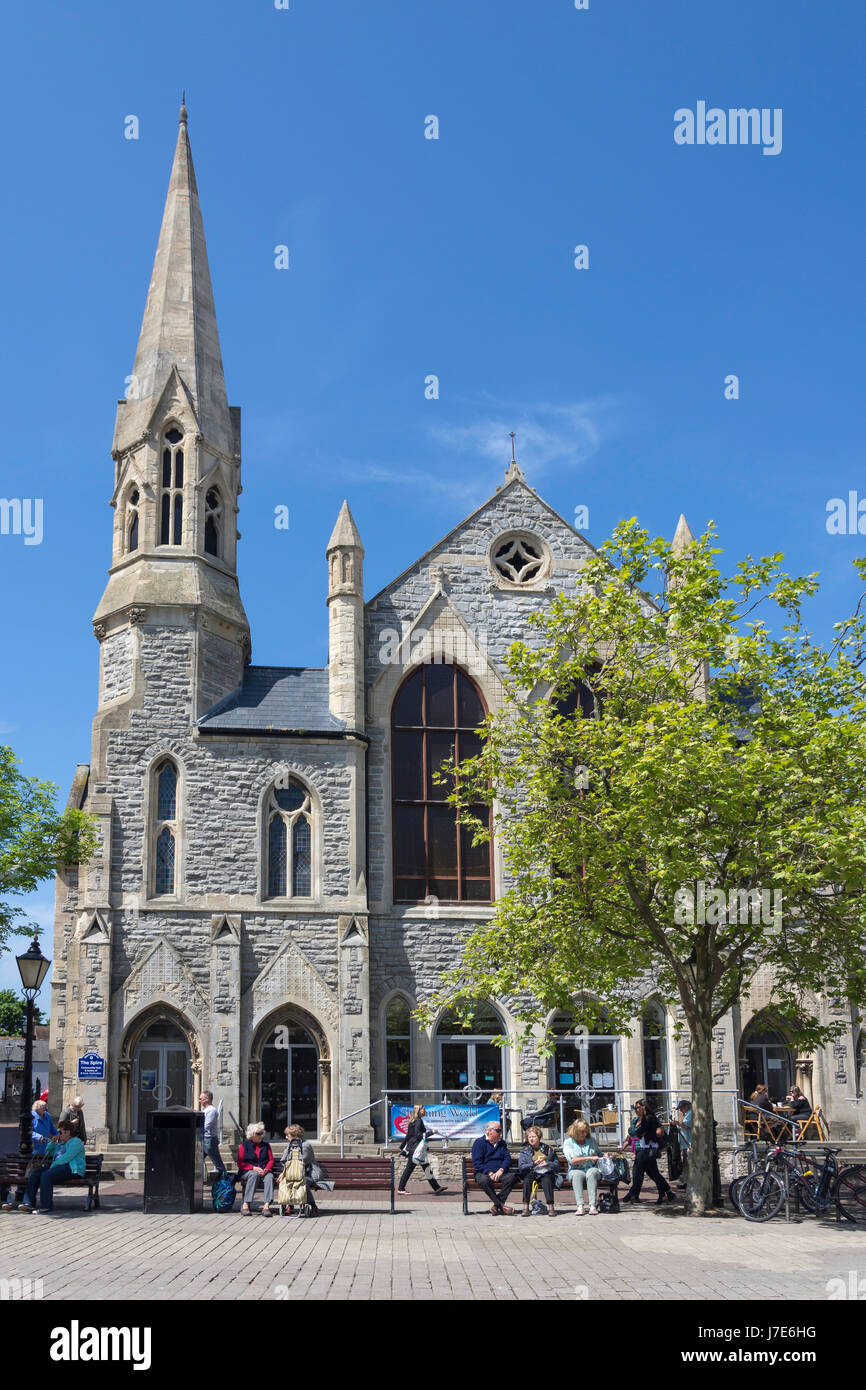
(642,824)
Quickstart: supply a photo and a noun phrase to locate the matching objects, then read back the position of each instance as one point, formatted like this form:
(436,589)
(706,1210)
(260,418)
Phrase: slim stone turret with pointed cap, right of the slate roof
(347,622)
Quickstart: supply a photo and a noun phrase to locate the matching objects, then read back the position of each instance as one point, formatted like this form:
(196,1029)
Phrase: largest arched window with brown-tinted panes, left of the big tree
(436,718)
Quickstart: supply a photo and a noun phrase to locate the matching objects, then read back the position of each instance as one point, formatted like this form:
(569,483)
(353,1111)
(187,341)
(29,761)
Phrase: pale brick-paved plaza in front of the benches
(427,1250)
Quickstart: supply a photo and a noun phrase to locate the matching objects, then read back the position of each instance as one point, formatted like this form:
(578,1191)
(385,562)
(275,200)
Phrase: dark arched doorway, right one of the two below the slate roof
(290,1082)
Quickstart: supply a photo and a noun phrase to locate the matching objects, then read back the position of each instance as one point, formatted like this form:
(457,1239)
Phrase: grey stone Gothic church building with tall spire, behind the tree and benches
(280,881)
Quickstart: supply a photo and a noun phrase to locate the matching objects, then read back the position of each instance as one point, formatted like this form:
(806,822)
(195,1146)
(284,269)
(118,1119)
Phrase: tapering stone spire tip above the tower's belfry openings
(180,325)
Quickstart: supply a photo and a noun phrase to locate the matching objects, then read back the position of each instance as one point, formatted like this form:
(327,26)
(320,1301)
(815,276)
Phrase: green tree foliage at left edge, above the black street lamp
(35,839)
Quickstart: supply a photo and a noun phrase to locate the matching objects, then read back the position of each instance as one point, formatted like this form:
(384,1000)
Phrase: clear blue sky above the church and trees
(414,258)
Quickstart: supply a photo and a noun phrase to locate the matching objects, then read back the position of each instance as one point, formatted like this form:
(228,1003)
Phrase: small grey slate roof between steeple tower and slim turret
(277,700)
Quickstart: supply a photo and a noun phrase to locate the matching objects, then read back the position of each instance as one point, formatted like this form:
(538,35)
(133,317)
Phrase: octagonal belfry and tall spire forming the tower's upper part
(177,457)
